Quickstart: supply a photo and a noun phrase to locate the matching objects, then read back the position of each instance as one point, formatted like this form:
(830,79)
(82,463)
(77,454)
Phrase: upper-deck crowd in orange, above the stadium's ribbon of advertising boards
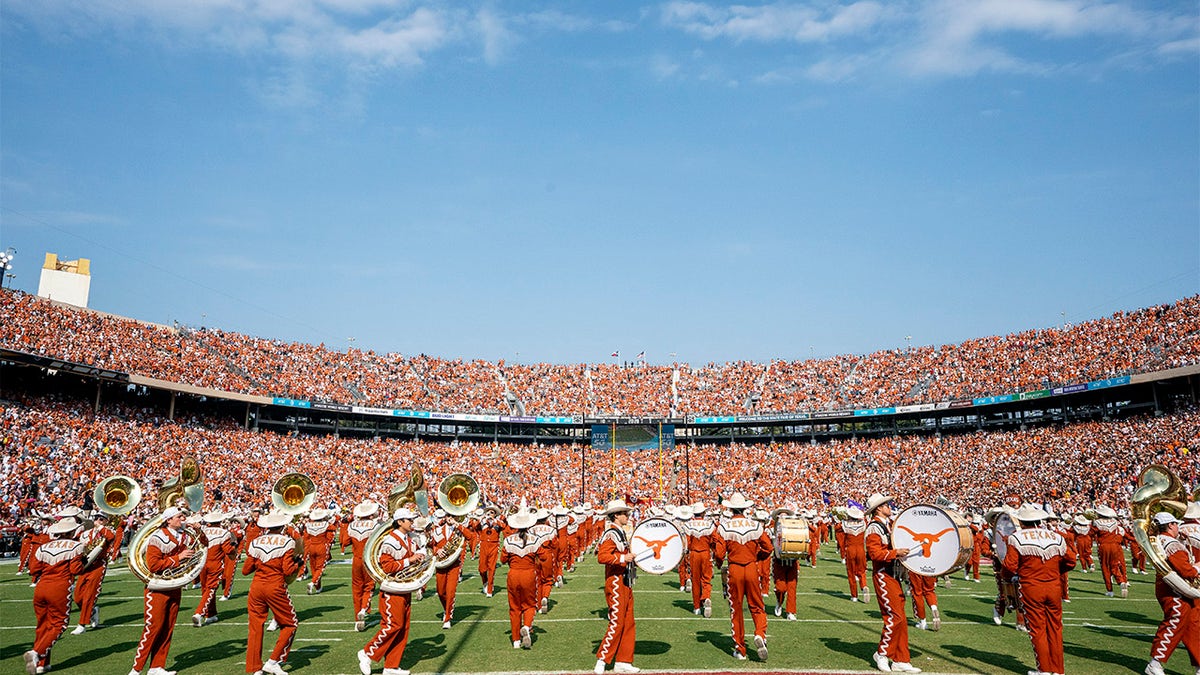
(1147,341)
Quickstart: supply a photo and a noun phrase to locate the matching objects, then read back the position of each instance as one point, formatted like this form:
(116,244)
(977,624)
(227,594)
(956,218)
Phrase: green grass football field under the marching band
(1102,635)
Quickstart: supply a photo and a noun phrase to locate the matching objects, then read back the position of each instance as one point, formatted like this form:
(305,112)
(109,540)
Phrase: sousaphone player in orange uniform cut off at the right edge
(1180,616)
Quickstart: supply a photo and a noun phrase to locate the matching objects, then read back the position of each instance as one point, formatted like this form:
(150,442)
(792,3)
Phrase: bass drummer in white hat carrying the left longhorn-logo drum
(614,553)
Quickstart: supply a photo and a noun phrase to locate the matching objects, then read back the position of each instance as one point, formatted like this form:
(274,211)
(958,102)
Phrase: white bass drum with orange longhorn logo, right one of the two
(939,540)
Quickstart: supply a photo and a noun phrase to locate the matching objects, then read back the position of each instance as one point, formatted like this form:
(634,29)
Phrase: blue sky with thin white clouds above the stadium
(553,182)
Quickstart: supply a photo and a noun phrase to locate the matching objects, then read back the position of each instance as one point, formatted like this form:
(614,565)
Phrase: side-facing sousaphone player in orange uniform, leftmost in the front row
(166,549)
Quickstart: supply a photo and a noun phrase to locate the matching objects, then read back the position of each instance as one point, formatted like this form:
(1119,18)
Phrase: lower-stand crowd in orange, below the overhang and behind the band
(53,453)
